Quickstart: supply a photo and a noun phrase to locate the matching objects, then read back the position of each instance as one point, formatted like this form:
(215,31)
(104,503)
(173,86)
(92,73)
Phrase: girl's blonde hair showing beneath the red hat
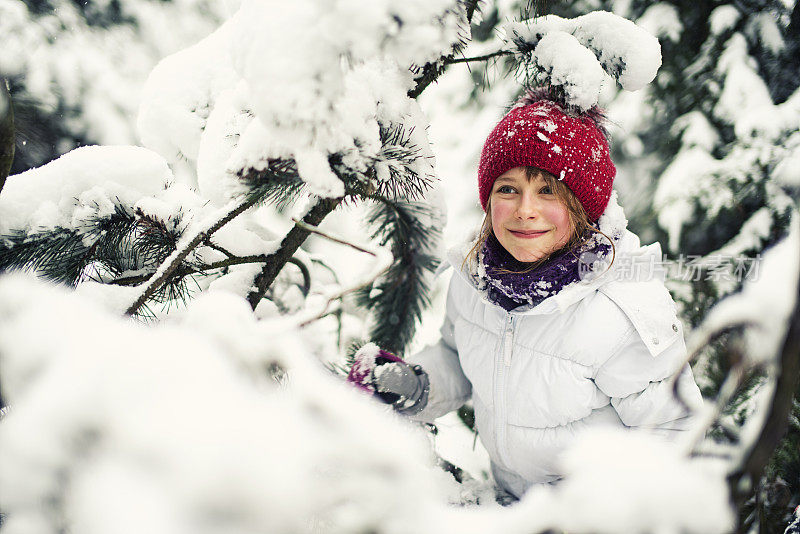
(581,228)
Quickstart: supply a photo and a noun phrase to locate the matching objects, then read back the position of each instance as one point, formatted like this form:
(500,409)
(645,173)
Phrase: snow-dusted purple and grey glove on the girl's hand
(390,379)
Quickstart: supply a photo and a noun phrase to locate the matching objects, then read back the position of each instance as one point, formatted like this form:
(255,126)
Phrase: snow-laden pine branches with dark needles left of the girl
(347,130)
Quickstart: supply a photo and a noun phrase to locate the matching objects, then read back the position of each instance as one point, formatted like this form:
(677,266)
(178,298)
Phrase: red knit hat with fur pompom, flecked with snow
(537,133)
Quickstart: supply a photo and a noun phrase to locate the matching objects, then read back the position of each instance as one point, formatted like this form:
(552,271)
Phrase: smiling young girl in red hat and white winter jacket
(557,319)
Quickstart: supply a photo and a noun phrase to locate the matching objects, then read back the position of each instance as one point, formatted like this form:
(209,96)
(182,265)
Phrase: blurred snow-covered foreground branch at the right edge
(771,327)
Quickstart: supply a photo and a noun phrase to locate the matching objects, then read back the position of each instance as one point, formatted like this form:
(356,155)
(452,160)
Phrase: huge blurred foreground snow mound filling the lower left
(182,423)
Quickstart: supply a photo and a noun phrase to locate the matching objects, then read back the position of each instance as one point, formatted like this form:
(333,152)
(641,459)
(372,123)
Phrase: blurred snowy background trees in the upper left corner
(76,68)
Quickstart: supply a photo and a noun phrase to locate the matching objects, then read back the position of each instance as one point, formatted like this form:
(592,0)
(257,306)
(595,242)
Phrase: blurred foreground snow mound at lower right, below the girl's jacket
(663,491)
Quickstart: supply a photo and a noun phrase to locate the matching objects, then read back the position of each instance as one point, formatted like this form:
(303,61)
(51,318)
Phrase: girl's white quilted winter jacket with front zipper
(599,352)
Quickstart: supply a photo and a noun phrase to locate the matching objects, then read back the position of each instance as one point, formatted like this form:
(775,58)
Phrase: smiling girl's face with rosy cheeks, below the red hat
(527,218)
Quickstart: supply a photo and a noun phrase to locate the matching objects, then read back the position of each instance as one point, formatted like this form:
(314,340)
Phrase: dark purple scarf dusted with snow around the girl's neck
(510,290)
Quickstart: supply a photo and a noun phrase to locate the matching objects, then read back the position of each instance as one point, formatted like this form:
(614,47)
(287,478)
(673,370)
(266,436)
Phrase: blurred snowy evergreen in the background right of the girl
(728,101)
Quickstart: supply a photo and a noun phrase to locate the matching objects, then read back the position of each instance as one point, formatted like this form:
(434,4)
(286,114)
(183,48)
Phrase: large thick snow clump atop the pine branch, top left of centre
(319,78)
